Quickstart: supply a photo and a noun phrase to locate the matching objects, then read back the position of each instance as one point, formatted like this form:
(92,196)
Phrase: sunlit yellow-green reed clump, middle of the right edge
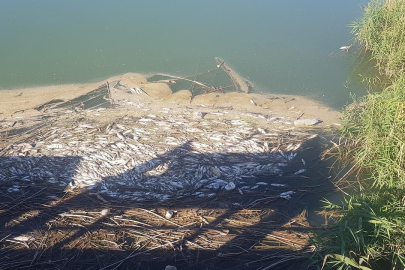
(376,128)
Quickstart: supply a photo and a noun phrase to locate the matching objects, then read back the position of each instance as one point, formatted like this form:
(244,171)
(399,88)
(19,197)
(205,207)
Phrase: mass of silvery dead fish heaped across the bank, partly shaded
(151,157)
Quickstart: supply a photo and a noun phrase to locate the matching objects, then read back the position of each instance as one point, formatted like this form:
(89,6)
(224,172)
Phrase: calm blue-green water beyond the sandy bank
(287,46)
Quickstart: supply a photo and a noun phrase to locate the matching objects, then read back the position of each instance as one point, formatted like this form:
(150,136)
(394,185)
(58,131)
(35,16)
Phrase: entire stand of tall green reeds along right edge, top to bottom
(370,228)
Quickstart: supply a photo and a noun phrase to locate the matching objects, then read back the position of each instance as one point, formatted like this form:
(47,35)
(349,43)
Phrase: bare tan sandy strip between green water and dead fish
(18,103)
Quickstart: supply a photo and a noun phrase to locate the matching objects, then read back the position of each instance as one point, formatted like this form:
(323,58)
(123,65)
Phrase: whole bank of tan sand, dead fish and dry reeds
(157,174)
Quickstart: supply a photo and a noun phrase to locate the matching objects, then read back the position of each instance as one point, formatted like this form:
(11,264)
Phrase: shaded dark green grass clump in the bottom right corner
(369,234)
